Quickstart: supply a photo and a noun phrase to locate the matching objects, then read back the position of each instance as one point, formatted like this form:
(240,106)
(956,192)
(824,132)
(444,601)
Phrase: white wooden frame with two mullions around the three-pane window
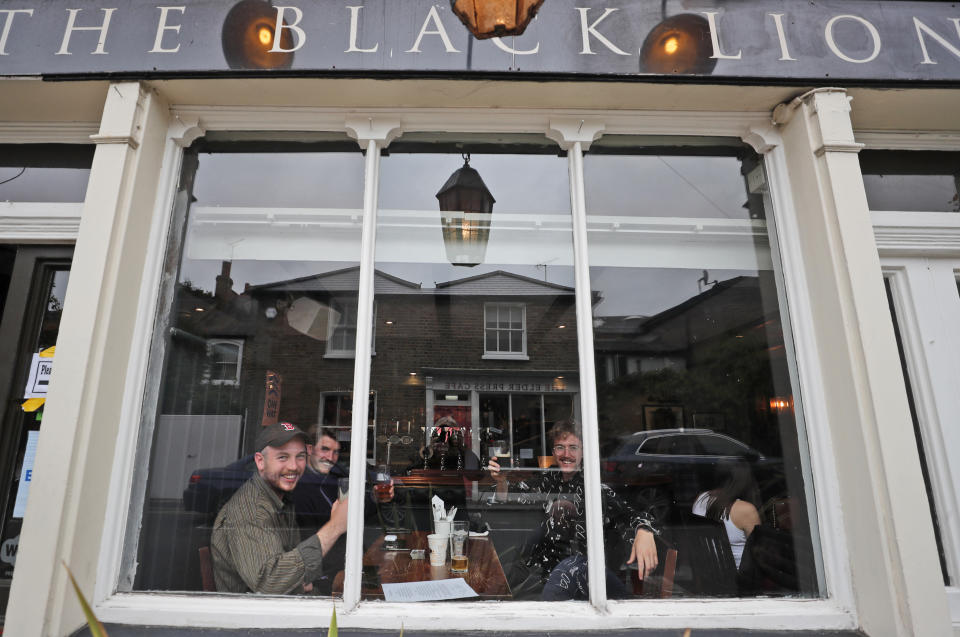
(374,129)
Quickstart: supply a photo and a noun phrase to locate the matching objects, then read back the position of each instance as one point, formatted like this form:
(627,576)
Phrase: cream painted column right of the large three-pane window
(892,561)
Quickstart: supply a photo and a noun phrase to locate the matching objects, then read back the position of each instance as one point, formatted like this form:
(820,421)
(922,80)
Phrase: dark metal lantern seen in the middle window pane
(466,207)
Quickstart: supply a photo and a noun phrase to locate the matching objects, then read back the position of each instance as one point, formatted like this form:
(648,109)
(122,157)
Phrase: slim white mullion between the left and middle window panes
(361,379)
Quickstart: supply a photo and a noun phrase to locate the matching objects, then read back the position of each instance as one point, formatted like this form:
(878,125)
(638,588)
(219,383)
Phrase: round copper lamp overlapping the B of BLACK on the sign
(248,36)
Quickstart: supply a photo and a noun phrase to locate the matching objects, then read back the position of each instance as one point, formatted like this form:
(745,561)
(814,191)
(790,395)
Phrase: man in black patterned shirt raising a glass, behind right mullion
(559,555)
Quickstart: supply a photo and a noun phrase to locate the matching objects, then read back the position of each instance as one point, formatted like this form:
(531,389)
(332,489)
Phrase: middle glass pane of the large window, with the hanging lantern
(474,361)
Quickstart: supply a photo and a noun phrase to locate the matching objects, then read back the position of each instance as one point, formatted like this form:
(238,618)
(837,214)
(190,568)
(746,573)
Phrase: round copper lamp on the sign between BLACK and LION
(679,44)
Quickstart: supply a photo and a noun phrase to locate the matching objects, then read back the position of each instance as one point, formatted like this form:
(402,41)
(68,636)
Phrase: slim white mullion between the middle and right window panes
(588,394)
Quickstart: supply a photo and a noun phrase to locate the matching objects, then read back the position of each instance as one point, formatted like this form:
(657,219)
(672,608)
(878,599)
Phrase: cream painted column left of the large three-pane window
(65,513)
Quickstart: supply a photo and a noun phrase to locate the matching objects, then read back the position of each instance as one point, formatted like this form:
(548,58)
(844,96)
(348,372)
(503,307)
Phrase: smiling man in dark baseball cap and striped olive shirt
(255,544)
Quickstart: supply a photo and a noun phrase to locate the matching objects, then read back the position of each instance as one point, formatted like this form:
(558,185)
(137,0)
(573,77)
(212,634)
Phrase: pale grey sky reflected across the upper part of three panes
(647,185)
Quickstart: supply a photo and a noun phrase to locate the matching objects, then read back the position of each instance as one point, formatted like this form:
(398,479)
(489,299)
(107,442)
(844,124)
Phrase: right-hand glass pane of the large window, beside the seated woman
(695,401)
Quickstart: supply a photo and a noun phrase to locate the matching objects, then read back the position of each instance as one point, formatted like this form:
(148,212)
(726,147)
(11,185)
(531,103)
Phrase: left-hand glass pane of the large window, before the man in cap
(260,328)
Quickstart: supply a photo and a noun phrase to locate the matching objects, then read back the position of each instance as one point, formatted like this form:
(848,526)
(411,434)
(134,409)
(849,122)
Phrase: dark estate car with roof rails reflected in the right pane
(662,469)
